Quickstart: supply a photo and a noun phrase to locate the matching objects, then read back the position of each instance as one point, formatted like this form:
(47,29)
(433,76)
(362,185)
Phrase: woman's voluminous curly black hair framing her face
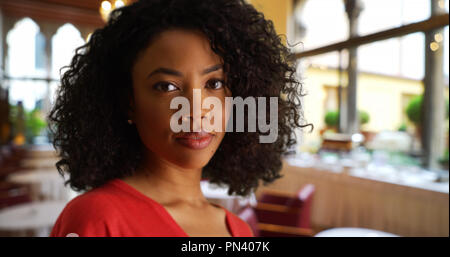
(88,119)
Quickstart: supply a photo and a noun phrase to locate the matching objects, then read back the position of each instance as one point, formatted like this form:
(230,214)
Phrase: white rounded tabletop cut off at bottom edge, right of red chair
(353,232)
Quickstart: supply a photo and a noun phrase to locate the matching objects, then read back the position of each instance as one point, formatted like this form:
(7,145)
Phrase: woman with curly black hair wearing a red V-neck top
(111,120)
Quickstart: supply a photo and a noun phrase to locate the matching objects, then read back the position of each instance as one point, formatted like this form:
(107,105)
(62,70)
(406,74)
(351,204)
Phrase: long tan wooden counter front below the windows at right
(402,206)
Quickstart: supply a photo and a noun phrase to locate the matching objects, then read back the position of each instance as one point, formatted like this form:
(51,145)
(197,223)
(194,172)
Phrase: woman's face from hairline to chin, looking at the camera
(174,64)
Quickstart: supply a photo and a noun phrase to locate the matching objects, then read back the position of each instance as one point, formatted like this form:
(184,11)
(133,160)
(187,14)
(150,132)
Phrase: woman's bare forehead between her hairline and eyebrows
(178,48)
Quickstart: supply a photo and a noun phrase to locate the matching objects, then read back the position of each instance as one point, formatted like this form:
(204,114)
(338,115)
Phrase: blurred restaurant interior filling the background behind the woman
(376,78)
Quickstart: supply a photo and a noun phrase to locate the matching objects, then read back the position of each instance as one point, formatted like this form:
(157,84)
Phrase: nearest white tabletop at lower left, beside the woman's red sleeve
(38,217)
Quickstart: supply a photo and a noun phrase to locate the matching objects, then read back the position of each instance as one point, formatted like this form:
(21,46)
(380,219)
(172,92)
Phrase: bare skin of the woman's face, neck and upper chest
(170,173)
